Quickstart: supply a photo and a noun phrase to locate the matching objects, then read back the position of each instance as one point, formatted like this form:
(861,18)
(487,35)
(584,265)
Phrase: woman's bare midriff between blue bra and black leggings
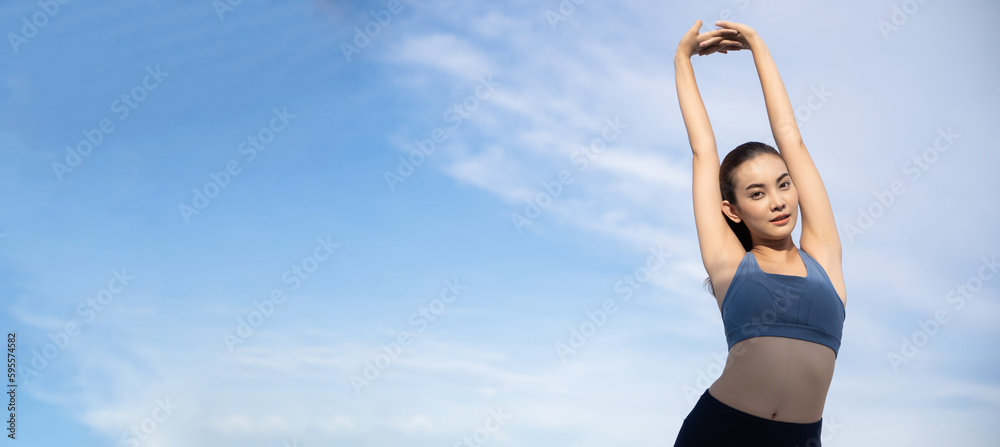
(777,378)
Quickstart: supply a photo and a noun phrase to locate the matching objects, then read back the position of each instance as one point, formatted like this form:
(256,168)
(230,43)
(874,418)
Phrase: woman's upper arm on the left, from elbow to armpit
(719,245)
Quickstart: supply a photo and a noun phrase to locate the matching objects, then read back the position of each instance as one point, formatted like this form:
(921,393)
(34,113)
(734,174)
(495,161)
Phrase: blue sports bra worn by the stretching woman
(761,304)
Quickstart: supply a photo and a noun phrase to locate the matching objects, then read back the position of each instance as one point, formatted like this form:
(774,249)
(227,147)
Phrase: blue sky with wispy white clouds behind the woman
(531,278)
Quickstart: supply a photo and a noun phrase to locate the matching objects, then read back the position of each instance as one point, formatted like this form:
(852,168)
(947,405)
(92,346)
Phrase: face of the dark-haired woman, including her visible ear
(763,191)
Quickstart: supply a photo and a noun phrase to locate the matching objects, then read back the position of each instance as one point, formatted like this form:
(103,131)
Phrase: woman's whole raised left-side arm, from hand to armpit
(718,244)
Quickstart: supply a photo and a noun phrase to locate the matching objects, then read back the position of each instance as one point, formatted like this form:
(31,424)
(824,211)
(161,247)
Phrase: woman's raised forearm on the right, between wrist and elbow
(779,108)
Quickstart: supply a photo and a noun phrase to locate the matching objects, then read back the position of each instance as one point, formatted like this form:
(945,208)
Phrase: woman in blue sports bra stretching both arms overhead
(783,308)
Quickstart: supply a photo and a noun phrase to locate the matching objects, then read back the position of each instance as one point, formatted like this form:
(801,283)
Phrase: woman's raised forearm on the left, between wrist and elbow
(699,129)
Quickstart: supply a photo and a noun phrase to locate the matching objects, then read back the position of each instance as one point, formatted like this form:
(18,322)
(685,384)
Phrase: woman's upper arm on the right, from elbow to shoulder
(819,230)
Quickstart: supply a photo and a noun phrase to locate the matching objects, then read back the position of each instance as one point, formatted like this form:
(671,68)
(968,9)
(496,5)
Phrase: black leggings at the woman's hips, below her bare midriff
(714,424)
